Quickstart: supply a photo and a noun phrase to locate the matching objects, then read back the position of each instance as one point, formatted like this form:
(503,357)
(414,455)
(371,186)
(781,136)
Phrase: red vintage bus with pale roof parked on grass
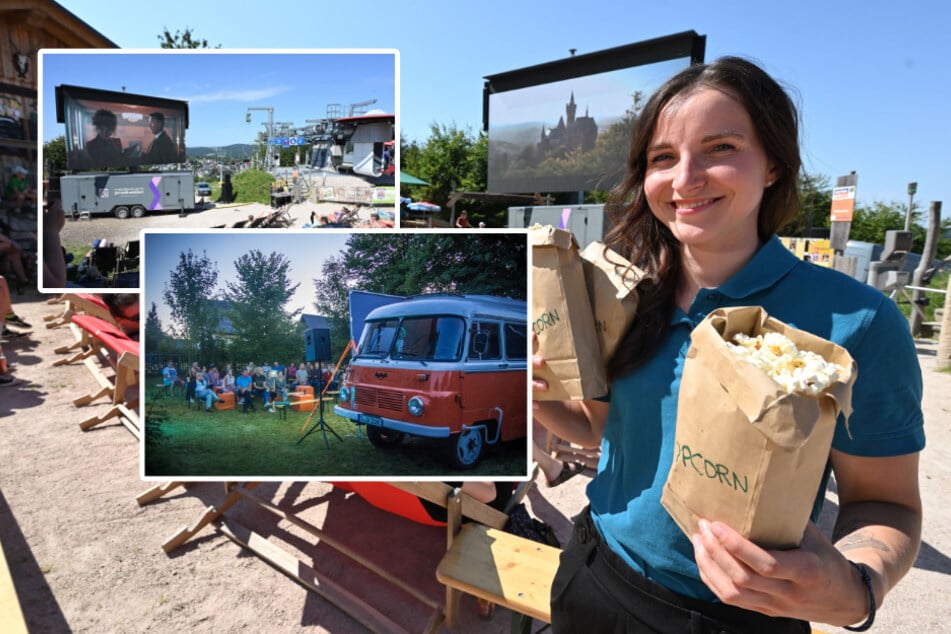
(443,366)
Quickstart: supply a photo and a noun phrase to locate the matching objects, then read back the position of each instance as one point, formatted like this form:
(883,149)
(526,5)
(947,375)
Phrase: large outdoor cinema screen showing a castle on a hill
(566,126)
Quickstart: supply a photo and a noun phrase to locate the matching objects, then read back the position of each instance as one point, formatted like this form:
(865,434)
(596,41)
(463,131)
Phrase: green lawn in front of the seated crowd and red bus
(182,442)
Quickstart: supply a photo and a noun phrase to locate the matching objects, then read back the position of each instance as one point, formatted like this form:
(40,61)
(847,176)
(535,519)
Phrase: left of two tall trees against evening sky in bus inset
(187,293)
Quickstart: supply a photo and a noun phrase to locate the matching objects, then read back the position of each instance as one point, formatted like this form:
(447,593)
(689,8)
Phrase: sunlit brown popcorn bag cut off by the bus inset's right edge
(562,321)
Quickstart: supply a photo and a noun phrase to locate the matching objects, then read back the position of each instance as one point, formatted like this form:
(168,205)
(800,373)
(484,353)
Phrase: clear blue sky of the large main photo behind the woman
(871,76)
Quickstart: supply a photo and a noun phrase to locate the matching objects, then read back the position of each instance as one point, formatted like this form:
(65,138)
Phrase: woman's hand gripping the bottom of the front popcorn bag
(814,582)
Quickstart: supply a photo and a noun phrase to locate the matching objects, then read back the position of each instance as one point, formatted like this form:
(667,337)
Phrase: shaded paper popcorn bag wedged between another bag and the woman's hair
(612,289)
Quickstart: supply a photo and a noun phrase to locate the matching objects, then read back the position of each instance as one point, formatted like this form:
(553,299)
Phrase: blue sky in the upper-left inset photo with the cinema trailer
(220,87)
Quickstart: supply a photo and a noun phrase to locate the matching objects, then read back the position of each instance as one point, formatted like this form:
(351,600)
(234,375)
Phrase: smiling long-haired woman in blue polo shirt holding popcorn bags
(711,177)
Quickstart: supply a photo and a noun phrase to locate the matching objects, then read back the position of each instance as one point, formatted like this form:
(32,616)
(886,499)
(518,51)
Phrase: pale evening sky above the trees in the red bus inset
(305,251)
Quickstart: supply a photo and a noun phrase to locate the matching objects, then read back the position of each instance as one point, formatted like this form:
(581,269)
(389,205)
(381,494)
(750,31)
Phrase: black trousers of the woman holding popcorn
(595,590)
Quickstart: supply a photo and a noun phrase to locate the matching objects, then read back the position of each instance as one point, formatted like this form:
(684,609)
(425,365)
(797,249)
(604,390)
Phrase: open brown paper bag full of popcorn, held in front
(748,452)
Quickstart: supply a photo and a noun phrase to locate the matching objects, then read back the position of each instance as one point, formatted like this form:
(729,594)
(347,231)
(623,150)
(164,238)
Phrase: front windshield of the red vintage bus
(435,338)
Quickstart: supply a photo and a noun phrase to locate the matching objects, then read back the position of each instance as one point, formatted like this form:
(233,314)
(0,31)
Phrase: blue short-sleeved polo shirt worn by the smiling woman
(638,443)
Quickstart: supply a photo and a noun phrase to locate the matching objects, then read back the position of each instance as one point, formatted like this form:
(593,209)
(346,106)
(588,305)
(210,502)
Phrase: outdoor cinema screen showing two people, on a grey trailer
(106,129)
